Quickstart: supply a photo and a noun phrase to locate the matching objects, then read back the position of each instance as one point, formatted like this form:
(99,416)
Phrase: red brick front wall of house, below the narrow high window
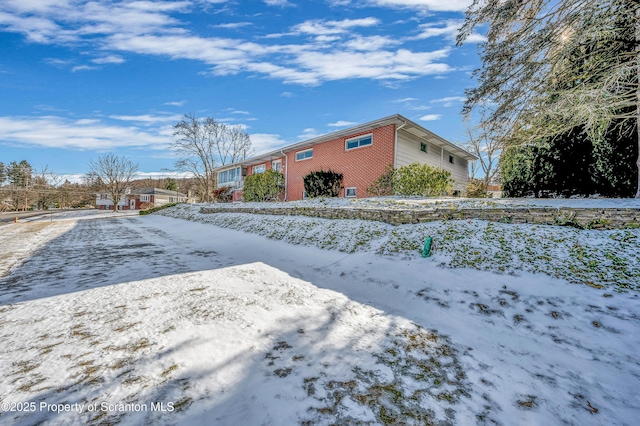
(360,167)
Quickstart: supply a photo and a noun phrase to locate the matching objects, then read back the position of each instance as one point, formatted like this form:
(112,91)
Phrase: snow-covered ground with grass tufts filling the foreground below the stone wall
(248,319)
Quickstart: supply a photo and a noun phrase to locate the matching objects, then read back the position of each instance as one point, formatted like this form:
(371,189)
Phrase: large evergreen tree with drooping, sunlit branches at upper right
(552,66)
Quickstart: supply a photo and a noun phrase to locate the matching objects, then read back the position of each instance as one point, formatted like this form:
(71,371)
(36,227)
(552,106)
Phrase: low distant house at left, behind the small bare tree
(141,198)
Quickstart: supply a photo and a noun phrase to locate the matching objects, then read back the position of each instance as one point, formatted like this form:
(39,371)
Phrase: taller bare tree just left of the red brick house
(205,144)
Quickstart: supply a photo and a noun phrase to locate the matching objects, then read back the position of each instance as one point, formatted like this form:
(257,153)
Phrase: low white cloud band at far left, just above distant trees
(83,134)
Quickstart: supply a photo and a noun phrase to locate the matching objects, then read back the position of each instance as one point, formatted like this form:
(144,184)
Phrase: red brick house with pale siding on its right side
(361,153)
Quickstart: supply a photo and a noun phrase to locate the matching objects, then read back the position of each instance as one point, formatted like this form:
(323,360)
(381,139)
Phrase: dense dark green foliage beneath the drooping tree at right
(572,164)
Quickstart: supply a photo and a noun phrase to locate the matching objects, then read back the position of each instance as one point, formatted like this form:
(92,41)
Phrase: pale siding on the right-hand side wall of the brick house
(409,152)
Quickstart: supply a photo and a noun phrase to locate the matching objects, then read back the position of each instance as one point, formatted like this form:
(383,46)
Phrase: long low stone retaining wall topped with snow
(590,218)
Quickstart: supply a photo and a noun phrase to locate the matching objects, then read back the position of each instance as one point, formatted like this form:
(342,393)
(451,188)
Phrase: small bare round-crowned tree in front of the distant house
(112,174)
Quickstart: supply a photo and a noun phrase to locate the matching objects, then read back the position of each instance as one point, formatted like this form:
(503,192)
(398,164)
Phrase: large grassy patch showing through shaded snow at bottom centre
(425,371)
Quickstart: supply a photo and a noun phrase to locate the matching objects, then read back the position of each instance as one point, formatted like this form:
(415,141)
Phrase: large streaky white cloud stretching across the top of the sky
(147,27)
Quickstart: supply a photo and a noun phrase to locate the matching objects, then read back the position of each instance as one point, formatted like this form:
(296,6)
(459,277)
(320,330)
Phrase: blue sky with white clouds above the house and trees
(79,78)
